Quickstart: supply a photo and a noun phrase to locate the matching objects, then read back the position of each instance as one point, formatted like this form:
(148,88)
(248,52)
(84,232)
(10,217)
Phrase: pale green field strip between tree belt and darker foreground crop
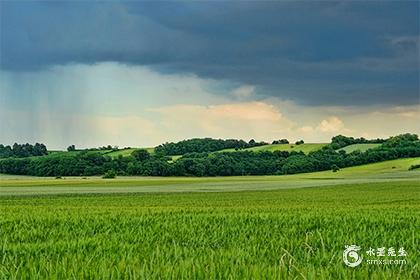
(377,172)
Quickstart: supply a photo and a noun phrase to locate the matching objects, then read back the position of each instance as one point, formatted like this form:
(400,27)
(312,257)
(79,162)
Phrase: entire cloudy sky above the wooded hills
(142,73)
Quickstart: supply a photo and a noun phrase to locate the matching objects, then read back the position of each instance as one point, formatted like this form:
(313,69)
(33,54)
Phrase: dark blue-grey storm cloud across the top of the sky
(313,53)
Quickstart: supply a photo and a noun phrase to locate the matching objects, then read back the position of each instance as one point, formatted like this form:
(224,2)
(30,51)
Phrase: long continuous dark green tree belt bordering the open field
(143,163)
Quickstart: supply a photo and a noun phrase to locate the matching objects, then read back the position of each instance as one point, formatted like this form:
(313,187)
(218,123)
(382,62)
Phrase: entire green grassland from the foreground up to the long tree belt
(256,227)
